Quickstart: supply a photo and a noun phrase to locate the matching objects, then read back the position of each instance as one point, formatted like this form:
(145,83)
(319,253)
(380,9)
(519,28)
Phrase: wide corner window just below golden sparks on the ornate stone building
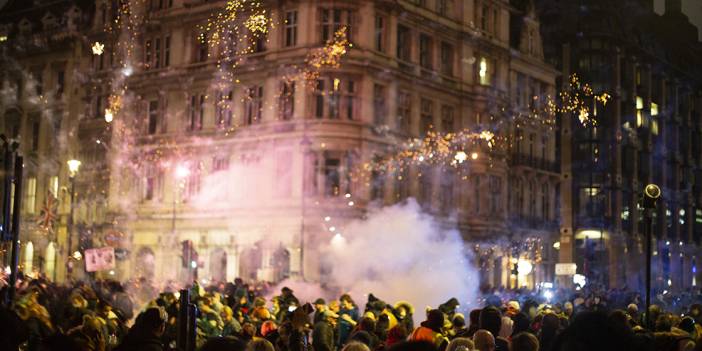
(335,98)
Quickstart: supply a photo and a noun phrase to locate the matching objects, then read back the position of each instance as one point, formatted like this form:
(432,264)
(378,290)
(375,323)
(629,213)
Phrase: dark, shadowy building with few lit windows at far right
(650,131)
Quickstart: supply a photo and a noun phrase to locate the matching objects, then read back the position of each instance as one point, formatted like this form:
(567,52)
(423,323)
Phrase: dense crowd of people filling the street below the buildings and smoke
(236,316)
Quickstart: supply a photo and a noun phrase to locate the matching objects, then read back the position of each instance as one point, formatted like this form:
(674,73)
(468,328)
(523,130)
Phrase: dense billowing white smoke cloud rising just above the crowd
(399,253)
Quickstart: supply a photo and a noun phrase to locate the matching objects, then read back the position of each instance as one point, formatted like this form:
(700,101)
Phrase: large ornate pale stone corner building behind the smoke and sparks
(248,171)
